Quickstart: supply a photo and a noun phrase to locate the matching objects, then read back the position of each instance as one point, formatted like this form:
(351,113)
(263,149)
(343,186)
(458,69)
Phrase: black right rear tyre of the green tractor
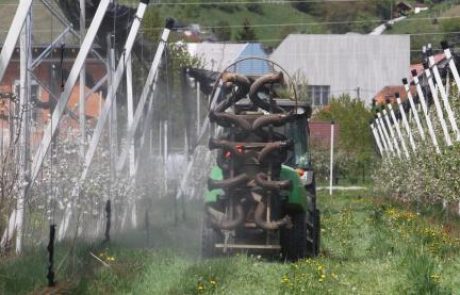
(294,240)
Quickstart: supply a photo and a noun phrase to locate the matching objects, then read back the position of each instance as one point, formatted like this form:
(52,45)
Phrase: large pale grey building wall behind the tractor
(354,64)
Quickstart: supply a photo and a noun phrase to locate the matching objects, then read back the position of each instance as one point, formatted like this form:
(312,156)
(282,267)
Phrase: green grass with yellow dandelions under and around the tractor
(369,246)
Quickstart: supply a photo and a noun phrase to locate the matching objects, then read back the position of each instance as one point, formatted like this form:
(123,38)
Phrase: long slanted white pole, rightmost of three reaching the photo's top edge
(105,112)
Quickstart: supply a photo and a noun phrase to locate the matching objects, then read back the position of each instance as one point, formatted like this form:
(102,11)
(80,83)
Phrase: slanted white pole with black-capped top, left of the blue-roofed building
(149,87)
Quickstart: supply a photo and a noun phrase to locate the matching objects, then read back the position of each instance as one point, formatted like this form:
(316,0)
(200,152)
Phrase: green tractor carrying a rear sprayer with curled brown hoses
(261,195)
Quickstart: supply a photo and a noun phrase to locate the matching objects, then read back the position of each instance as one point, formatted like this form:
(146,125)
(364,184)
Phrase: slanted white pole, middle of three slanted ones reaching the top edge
(65,95)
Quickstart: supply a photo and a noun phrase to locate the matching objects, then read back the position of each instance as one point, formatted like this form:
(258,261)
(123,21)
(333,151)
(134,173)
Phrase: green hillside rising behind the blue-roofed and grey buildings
(271,22)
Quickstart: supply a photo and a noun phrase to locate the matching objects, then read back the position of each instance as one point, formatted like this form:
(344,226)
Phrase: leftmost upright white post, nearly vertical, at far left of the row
(24,140)
